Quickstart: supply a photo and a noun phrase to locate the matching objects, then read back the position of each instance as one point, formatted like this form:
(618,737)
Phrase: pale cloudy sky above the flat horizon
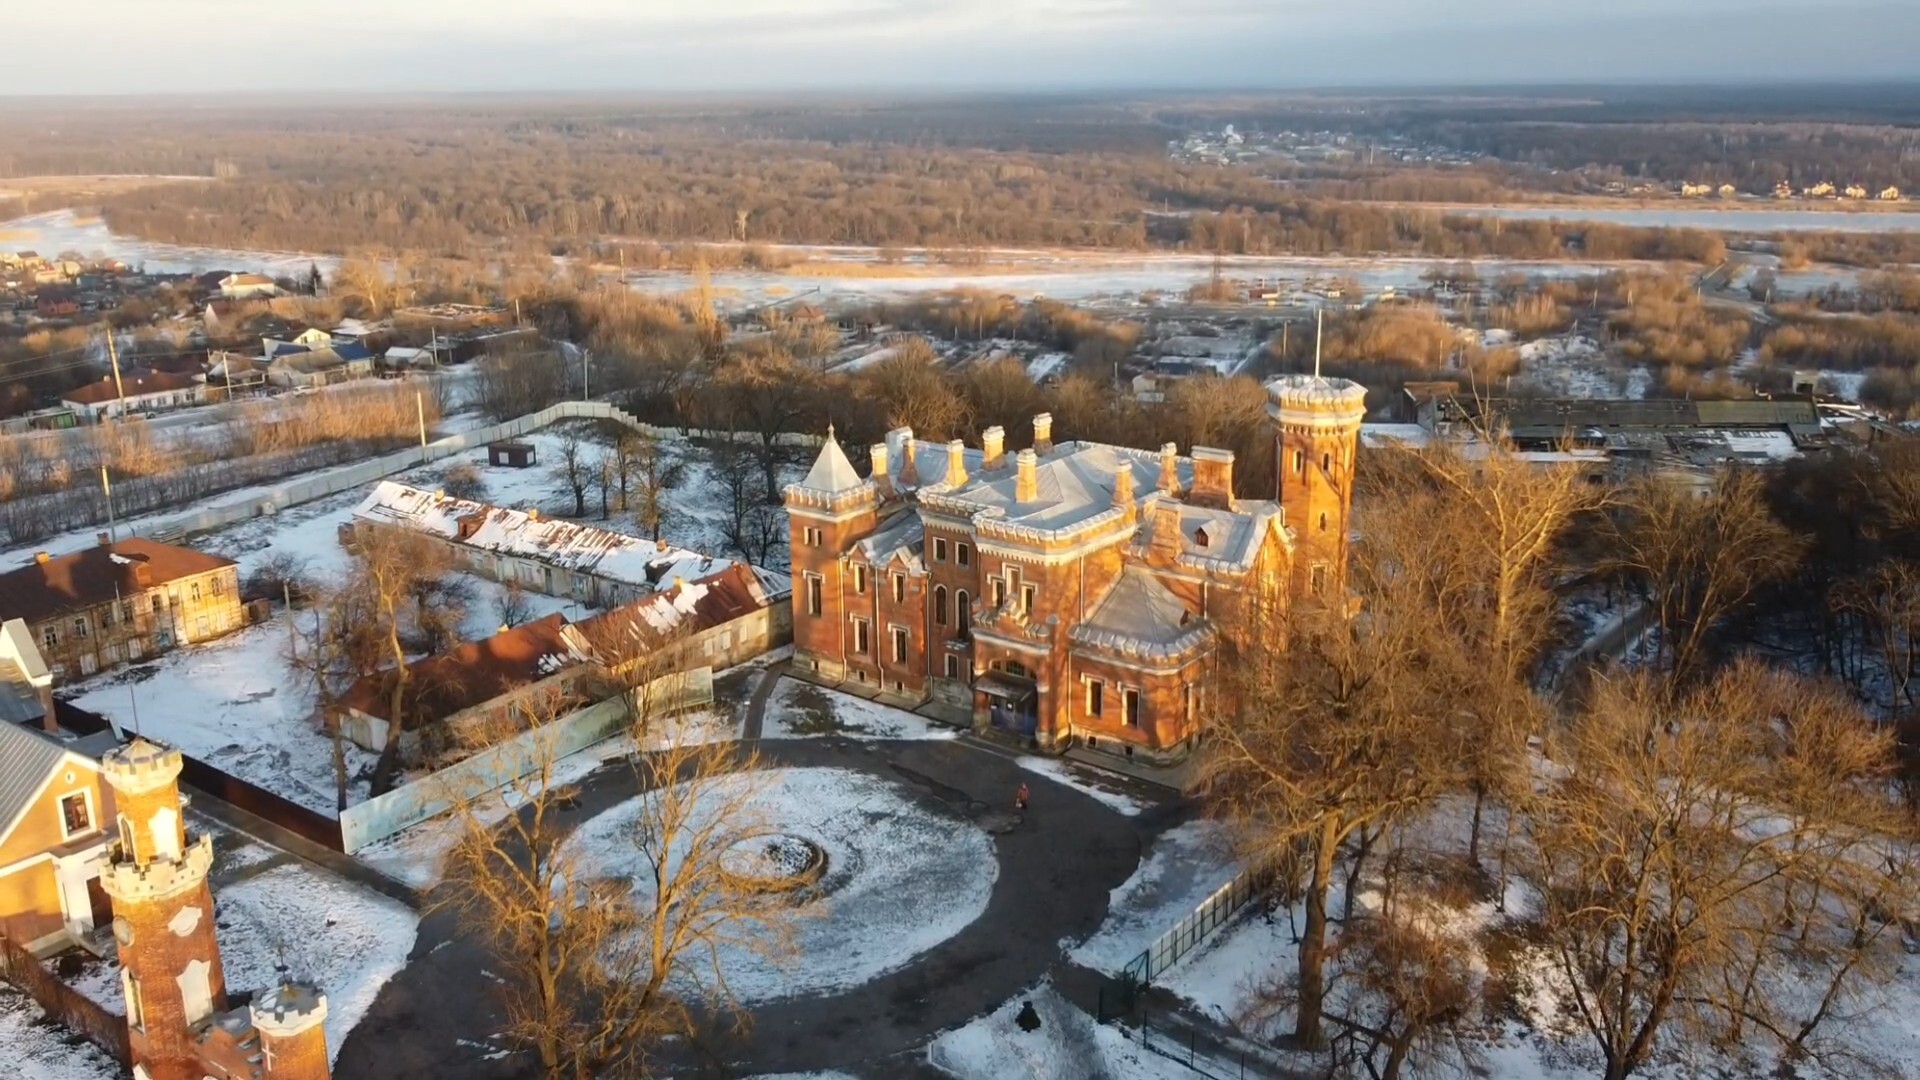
(145,47)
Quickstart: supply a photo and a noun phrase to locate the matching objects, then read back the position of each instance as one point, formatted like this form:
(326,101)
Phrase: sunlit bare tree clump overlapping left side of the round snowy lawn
(600,971)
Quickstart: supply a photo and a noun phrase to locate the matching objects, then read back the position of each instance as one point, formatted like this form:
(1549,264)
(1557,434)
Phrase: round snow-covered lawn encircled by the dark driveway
(900,879)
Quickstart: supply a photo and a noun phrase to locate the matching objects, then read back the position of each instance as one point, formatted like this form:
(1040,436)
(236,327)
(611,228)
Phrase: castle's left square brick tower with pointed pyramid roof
(827,514)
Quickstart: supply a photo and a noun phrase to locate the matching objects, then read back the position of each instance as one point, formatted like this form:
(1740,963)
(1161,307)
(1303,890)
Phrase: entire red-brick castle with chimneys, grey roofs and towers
(1070,593)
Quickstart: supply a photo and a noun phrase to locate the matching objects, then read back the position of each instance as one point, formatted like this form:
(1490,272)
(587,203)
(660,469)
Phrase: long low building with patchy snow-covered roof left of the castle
(554,558)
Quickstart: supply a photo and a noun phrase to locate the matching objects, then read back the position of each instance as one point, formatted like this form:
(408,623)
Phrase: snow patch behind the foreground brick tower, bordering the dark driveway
(304,923)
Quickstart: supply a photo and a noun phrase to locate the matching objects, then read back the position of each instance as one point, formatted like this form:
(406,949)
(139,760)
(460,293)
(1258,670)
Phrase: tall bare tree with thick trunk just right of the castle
(1335,731)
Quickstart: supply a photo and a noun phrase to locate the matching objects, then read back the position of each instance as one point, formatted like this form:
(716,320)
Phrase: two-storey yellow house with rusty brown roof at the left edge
(122,602)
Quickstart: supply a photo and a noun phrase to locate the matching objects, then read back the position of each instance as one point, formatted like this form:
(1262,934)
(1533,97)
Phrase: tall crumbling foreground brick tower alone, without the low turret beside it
(162,914)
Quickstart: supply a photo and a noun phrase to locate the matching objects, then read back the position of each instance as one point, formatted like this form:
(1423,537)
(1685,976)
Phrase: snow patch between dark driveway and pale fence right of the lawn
(1182,870)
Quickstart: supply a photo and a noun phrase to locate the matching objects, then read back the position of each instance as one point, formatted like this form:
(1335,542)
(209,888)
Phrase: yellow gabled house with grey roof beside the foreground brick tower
(53,841)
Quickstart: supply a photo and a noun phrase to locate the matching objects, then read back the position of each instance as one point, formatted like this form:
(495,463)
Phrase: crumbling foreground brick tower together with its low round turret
(178,1019)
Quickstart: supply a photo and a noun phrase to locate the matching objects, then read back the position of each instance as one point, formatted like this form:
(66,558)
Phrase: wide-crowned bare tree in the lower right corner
(1708,856)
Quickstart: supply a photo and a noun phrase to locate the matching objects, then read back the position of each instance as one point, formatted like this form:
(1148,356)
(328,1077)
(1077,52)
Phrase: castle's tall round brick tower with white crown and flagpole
(1318,435)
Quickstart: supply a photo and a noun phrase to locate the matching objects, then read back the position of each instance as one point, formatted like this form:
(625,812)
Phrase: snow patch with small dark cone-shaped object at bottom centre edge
(1067,1046)
